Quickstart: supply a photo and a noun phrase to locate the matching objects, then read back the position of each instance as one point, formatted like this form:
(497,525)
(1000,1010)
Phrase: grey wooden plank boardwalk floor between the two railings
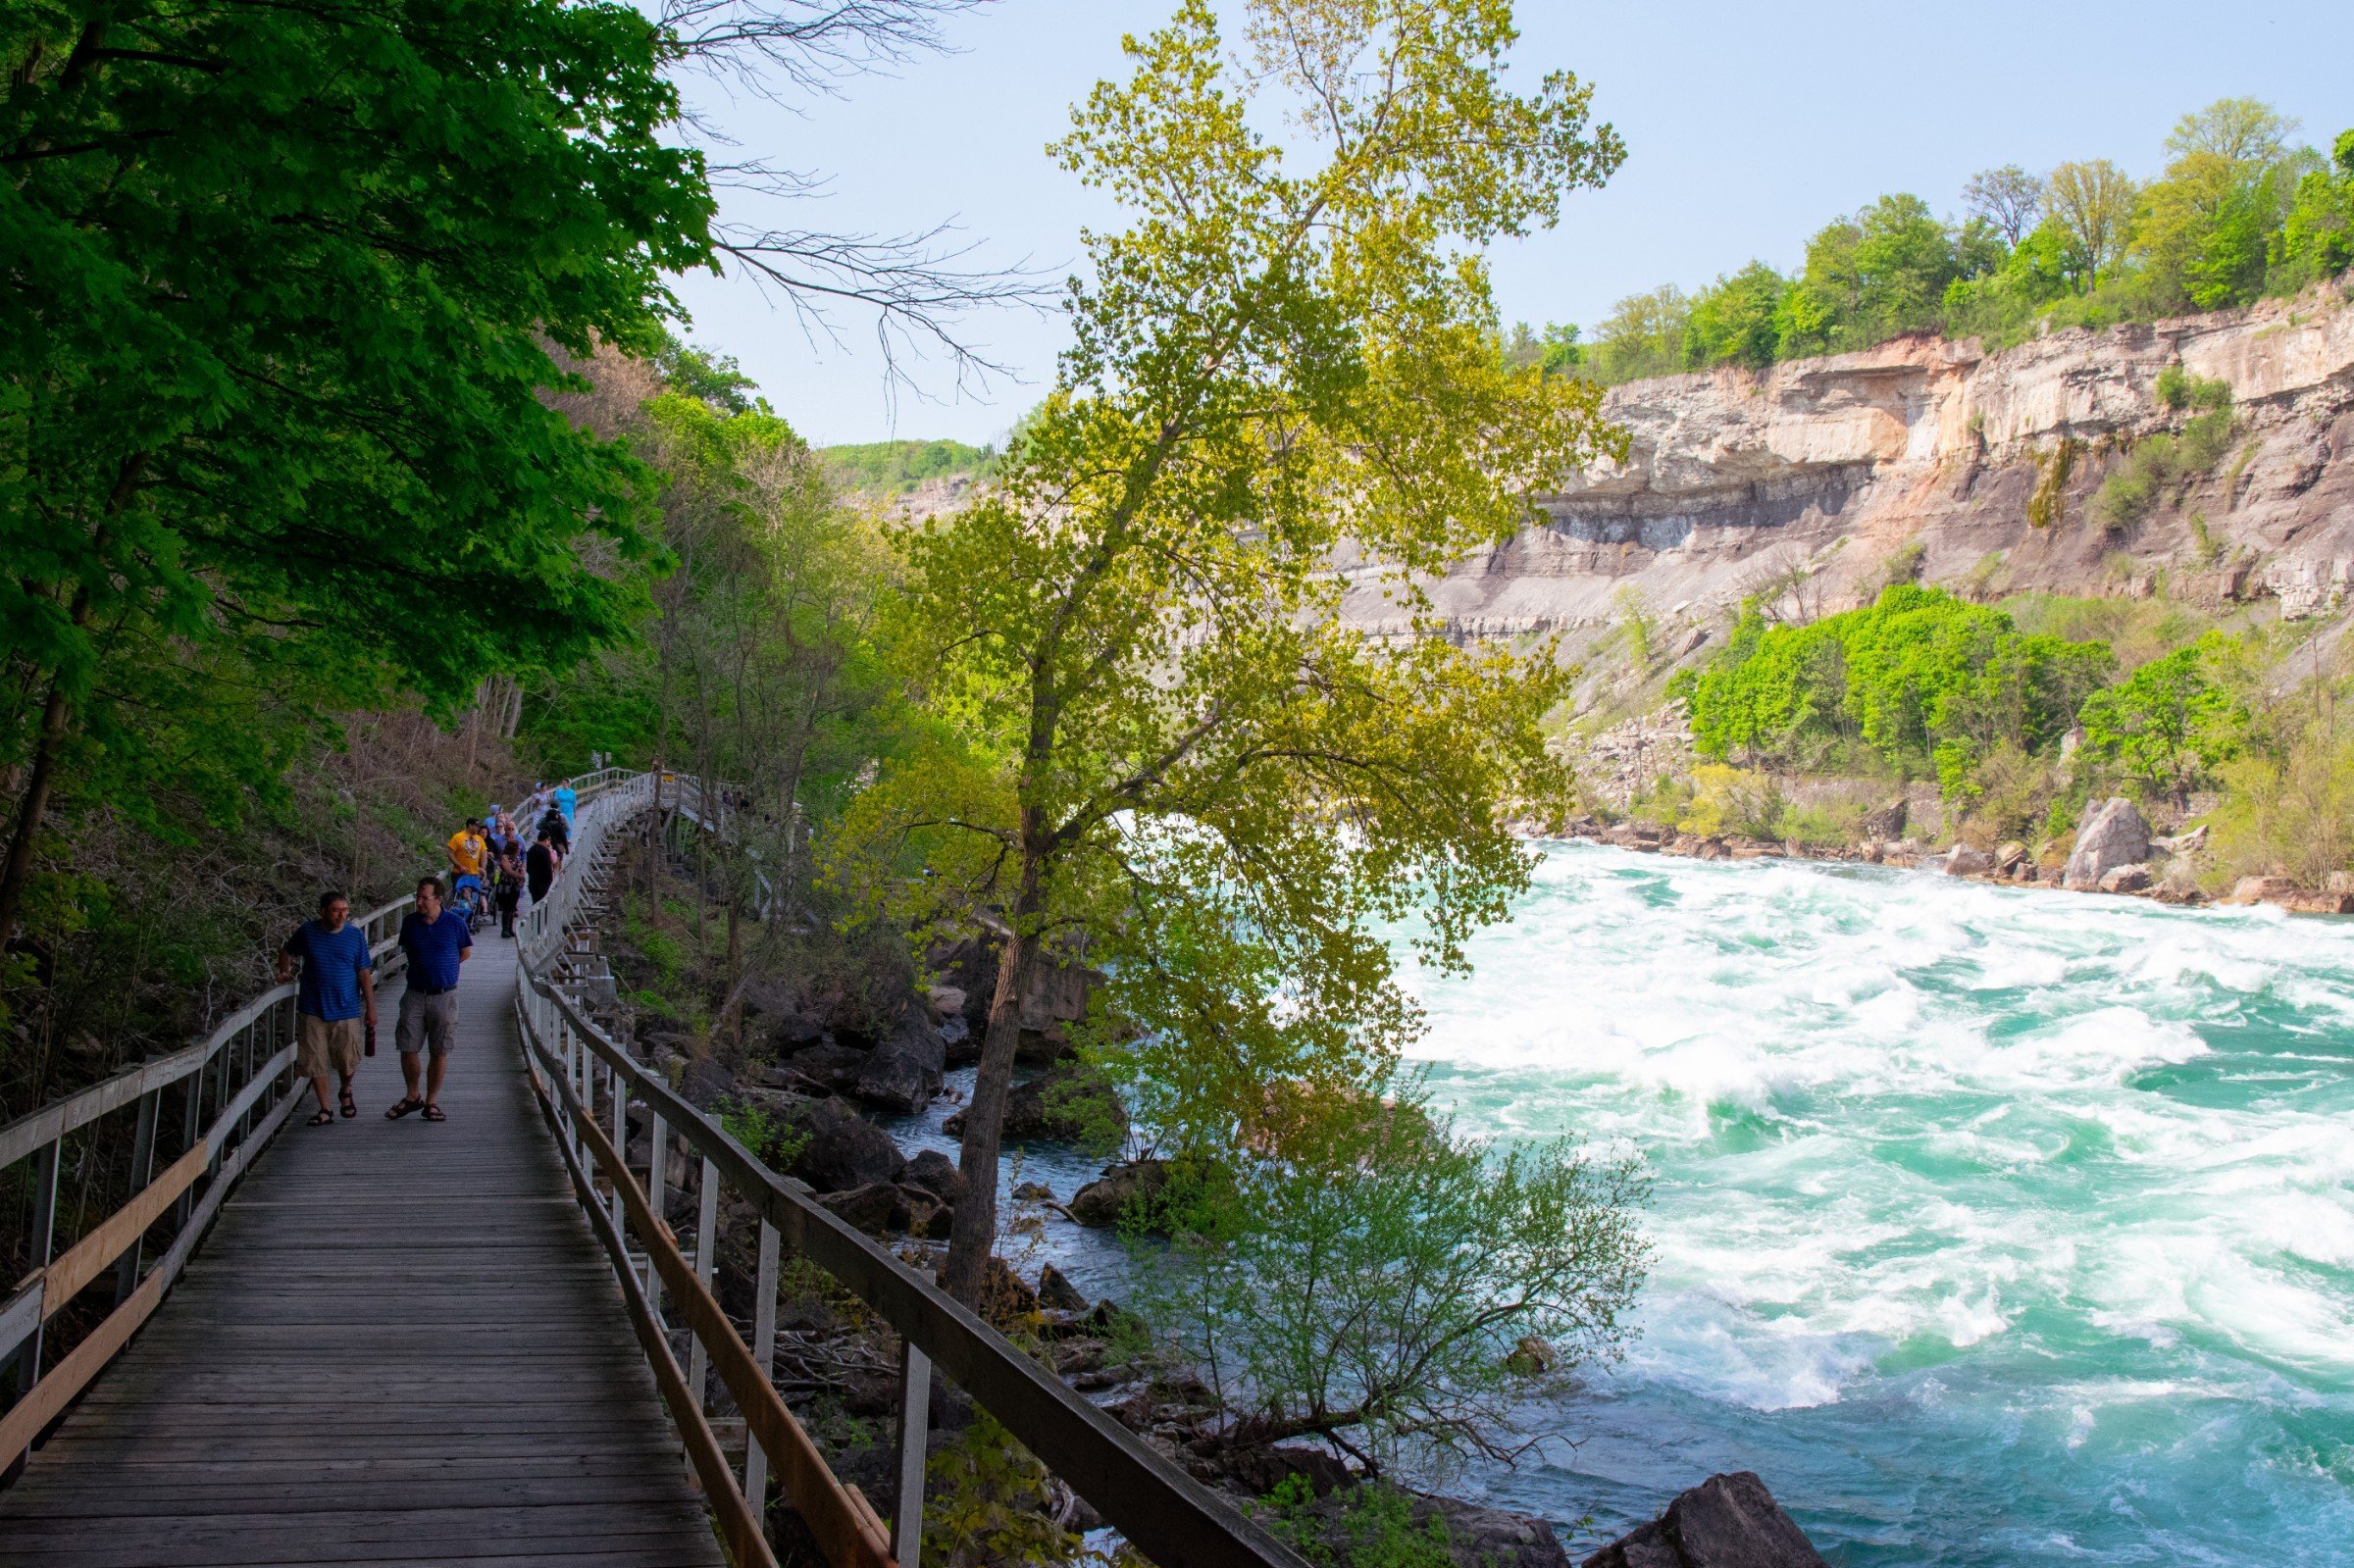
(401,1346)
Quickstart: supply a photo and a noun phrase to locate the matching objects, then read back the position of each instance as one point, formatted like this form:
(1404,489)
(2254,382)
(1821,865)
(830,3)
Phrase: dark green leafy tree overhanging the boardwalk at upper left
(279,312)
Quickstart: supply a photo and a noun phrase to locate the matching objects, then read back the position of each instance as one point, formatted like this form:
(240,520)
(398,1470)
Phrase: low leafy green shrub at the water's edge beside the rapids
(1374,1273)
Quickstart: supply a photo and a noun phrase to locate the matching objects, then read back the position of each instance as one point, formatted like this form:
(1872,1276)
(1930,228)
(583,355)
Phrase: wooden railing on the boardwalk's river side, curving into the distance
(587,1082)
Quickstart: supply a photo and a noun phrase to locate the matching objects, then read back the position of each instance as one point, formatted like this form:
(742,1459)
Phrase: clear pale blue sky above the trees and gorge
(1748,128)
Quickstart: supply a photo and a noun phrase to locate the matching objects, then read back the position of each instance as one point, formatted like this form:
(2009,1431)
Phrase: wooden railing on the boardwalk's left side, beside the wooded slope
(234,1096)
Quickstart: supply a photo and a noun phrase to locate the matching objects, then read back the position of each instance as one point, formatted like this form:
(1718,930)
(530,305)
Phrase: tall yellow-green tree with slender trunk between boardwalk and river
(1155,740)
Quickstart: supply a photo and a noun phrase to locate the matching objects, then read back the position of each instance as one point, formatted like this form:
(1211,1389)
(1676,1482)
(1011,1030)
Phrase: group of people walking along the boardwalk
(335,1002)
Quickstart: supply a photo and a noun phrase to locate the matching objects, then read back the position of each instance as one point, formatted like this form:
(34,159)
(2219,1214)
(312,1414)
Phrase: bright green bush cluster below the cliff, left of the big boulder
(1920,682)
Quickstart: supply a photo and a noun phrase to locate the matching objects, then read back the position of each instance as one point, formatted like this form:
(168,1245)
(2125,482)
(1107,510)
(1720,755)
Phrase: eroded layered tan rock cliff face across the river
(1821,479)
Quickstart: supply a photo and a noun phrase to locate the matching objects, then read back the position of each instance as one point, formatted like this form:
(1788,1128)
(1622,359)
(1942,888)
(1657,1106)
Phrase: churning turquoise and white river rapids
(1993,1228)
